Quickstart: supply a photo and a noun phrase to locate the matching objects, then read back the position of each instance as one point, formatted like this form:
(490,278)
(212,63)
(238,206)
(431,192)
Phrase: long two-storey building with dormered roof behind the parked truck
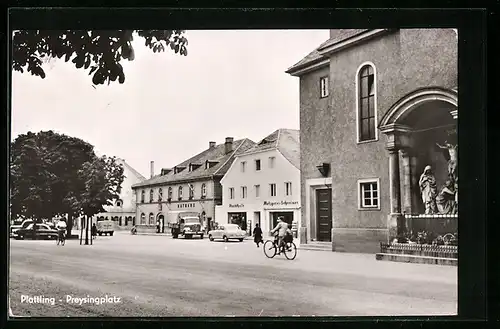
(193,185)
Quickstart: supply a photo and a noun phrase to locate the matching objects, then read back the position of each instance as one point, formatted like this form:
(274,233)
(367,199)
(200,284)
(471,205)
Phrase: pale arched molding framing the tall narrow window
(358,109)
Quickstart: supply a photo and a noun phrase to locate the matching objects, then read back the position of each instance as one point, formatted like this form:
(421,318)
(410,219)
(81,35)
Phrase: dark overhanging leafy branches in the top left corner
(99,52)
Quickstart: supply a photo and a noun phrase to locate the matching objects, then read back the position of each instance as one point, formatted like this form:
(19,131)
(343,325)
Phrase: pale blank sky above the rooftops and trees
(231,84)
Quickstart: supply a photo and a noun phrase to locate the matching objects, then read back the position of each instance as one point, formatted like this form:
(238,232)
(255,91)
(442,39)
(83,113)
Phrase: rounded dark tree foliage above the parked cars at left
(54,174)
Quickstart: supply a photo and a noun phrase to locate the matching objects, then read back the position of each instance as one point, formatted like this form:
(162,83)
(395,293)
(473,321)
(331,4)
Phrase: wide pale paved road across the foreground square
(159,276)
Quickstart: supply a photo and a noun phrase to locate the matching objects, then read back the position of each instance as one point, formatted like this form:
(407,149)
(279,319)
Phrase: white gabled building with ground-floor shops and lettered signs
(264,183)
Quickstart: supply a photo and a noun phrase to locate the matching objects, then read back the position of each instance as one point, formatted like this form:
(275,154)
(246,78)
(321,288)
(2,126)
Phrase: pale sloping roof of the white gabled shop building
(286,141)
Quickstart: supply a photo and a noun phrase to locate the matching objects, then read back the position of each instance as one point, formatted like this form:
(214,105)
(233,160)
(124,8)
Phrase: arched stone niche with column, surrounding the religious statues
(417,128)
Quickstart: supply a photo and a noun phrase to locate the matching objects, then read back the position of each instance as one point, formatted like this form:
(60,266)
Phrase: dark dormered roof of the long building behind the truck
(216,153)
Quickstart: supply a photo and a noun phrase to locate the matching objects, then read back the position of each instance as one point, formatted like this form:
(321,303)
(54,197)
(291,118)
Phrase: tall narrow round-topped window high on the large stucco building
(366,103)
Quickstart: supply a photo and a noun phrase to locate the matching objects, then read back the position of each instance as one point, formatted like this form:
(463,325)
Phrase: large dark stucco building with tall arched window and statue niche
(374,104)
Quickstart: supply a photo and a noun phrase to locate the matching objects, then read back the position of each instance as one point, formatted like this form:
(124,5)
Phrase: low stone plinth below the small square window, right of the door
(358,240)
